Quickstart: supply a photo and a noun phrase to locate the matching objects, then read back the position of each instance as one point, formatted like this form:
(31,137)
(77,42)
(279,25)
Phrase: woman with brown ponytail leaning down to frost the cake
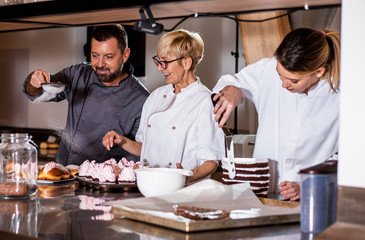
(296,95)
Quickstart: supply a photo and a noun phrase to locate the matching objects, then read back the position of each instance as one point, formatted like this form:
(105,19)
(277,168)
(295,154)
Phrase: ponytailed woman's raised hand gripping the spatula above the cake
(229,98)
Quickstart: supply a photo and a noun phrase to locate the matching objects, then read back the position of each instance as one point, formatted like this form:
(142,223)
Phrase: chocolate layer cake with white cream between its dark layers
(251,170)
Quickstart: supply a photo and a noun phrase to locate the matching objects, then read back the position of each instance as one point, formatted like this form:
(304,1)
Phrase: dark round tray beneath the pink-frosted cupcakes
(105,186)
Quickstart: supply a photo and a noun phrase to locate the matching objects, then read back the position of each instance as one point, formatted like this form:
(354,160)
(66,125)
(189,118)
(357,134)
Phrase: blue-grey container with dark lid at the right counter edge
(318,197)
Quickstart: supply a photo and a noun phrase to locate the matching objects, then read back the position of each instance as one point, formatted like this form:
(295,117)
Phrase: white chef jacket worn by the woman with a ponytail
(295,130)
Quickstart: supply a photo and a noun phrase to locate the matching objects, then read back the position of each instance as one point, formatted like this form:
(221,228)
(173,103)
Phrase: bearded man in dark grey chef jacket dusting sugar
(102,95)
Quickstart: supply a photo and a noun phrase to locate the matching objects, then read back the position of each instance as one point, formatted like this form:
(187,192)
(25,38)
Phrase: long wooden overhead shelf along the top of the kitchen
(61,13)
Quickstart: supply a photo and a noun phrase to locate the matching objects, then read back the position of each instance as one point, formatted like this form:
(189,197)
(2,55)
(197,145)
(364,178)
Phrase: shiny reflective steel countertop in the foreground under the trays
(70,211)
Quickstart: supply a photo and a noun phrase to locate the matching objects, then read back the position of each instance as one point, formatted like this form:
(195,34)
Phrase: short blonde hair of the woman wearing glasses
(182,43)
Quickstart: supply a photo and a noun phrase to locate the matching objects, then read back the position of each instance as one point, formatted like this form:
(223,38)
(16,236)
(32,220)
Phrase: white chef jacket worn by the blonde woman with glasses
(180,128)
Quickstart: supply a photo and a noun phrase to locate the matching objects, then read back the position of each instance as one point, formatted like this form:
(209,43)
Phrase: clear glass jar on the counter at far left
(18,165)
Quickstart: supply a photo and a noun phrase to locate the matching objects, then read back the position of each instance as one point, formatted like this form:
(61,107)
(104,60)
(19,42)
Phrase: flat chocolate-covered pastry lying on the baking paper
(198,213)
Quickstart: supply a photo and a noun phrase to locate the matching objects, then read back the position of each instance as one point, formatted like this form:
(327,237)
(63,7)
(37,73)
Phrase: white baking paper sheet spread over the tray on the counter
(207,193)
